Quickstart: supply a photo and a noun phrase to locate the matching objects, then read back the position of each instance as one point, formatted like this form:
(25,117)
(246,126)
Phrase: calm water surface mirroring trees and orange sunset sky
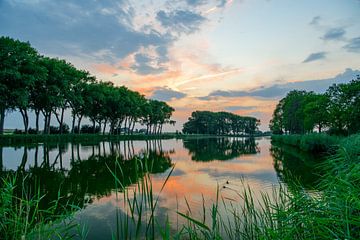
(82,174)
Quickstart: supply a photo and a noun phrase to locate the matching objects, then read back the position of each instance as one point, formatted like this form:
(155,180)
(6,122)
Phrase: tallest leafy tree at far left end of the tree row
(19,69)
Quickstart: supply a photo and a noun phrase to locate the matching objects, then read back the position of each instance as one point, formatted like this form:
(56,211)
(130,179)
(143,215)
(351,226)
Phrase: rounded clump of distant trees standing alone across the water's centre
(220,123)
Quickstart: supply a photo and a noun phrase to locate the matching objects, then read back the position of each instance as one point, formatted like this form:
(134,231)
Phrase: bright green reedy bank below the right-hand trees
(315,143)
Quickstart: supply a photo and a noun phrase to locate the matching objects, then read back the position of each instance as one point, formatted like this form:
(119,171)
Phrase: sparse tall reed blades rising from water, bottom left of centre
(136,217)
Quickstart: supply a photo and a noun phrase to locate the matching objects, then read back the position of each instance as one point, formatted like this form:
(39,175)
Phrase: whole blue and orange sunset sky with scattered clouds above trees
(220,55)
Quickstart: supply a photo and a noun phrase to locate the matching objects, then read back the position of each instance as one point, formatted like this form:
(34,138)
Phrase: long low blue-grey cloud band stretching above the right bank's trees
(280,90)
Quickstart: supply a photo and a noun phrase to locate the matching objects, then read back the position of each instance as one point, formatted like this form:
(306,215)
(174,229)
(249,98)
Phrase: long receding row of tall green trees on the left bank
(49,86)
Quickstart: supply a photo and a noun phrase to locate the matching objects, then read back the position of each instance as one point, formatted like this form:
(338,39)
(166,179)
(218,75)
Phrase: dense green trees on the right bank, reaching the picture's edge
(337,111)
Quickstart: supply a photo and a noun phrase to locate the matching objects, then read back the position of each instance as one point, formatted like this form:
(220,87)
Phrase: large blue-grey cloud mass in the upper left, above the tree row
(102,30)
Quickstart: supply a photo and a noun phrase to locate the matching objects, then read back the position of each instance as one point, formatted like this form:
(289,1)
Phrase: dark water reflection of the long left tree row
(83,180)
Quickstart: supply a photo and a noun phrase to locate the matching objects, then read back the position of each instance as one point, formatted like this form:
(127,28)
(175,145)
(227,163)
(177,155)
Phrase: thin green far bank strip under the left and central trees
(20,139)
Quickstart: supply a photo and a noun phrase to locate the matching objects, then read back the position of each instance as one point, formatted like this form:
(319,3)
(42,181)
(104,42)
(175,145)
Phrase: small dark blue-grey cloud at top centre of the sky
(180,21)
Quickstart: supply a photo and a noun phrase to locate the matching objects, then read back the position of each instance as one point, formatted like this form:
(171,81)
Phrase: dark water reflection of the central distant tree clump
(210,149)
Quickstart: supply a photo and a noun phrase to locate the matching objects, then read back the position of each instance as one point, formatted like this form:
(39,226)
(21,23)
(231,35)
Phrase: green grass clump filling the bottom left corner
(23,218)
